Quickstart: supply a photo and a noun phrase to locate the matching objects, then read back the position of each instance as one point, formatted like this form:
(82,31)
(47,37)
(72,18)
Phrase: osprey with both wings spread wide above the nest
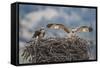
(71,32)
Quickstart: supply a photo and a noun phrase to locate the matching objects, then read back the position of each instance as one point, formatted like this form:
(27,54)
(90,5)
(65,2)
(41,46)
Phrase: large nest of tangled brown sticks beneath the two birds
(56,50)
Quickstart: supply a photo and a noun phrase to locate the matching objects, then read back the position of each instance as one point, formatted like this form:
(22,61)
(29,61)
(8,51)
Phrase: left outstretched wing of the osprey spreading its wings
(58,26)
